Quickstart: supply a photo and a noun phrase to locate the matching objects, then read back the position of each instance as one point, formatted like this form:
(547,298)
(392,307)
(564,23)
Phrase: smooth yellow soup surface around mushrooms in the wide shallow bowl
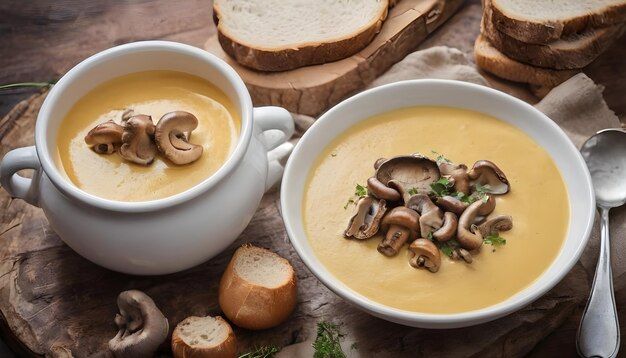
(537,201)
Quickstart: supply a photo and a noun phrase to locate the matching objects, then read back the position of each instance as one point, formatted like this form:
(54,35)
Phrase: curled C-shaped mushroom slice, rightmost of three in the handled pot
(172,137)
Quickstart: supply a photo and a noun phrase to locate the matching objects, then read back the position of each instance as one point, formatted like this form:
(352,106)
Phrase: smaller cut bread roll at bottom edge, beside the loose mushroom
(204,337)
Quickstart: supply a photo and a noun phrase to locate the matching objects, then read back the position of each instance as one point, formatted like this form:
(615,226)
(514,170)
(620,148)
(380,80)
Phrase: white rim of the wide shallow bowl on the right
(429,320)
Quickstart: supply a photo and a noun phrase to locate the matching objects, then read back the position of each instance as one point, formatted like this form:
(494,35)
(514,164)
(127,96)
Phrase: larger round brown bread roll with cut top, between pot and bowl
(258,289)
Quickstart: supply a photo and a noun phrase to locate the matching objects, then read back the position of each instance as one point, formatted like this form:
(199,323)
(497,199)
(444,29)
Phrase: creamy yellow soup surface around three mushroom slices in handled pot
(153,93)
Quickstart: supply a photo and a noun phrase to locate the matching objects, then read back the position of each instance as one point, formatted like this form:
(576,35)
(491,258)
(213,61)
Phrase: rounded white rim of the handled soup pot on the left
(69,189)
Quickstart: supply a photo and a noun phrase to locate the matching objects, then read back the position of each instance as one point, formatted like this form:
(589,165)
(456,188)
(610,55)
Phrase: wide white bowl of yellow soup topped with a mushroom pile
(337,166)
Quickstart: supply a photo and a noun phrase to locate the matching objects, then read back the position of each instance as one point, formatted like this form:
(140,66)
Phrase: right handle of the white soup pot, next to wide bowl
(277,127)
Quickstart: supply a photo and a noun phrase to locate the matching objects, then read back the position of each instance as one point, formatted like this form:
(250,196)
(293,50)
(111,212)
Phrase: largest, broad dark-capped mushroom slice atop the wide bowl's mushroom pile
(408,173)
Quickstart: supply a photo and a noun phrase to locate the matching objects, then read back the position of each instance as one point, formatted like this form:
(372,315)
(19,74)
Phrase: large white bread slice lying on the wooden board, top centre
(279,35)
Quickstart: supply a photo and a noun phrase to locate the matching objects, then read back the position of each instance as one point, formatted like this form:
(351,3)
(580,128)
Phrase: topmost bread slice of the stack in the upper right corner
(541,22)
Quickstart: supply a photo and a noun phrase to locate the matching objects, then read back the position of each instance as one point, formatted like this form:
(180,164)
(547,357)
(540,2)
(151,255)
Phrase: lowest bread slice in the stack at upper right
(493,61)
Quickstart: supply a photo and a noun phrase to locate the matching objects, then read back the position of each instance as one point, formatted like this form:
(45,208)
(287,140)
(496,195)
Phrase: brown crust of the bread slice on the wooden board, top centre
(282,59)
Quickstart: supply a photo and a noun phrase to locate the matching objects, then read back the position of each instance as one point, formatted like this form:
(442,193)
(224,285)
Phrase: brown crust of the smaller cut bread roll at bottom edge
(226,349)
